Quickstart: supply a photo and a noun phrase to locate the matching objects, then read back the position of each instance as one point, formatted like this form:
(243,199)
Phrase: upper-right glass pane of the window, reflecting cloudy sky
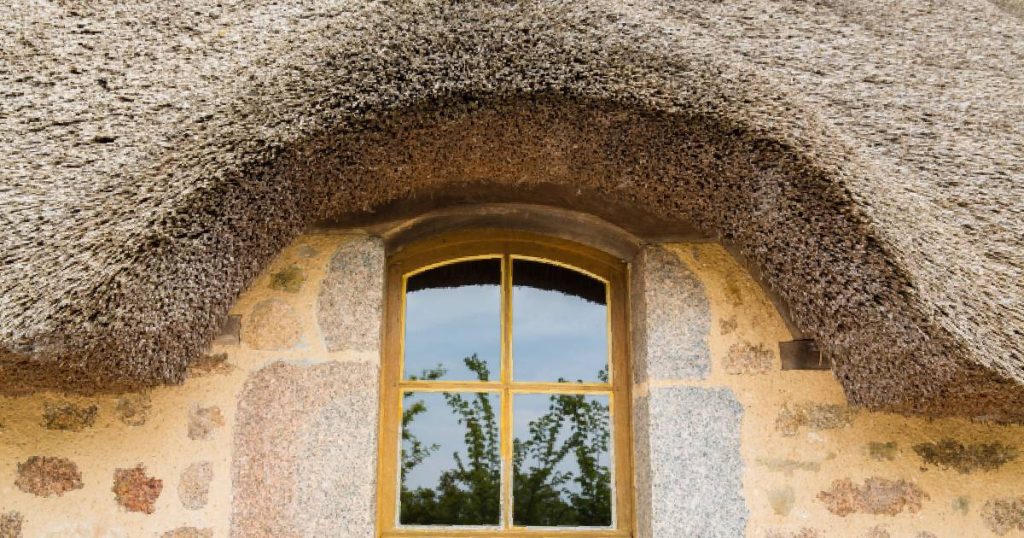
(560,327)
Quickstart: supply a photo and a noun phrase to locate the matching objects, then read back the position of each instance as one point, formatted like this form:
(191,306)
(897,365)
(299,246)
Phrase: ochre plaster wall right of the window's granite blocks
(808,459)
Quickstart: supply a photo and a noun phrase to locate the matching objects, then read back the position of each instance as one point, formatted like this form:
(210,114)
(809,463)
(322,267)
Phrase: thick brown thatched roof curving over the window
(868,157)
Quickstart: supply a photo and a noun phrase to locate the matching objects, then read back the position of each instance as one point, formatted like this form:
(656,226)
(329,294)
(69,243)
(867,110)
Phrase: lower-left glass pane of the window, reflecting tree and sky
(451,460)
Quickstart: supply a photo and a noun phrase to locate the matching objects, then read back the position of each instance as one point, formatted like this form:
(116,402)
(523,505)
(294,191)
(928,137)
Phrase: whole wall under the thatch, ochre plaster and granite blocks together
(287,420)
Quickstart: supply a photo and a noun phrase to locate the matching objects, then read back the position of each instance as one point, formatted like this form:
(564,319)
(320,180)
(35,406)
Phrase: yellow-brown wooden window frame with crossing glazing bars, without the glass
(506,245)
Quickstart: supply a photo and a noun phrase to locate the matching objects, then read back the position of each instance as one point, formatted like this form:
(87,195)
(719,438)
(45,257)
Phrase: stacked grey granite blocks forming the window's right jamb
(684,489)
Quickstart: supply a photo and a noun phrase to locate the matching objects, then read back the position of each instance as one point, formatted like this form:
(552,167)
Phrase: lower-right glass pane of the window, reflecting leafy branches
(562,466)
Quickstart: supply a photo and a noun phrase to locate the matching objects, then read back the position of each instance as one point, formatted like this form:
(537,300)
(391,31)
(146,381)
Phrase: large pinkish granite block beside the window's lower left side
(306,451)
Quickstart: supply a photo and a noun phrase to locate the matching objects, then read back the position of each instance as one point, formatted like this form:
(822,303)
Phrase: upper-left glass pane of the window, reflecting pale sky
(453,322)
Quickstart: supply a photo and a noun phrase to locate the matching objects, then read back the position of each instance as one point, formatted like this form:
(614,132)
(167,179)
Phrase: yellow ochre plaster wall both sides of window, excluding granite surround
(813,467)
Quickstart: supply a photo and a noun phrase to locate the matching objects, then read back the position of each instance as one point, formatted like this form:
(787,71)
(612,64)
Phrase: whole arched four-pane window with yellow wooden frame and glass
(505,398)
